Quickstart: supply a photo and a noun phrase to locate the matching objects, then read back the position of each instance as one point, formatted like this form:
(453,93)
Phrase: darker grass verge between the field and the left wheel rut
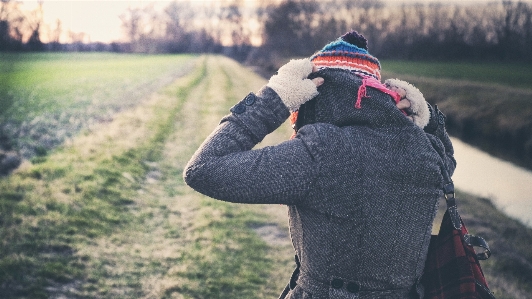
(69,199)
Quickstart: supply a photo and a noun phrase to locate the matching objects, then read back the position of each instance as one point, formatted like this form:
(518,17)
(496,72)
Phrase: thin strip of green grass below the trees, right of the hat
(508,74)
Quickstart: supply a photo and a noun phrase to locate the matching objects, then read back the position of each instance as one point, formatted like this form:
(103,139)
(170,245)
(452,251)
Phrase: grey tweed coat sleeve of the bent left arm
(227,168)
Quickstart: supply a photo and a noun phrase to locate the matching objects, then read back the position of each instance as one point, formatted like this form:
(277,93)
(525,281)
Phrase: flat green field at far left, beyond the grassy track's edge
(47,98)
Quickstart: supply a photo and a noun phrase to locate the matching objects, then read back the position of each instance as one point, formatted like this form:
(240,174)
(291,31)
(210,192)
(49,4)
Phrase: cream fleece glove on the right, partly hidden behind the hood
(418,106)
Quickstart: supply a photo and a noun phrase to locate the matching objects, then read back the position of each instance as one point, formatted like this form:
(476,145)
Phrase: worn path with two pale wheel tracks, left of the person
(154,256)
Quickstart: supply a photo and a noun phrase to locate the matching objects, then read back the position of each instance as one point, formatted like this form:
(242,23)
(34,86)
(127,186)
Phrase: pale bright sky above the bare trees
(99,19)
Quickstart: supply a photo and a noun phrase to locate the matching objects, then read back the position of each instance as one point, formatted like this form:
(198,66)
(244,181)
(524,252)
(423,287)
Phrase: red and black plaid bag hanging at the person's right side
(452,269)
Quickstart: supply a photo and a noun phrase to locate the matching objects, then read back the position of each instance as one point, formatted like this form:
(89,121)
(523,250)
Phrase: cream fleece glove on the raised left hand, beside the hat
(292,85)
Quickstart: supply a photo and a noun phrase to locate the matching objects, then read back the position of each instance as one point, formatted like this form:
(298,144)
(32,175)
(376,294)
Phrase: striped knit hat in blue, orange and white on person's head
(349,52)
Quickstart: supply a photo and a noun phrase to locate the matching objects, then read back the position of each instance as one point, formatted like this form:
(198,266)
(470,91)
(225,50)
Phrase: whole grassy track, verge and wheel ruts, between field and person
(107,214)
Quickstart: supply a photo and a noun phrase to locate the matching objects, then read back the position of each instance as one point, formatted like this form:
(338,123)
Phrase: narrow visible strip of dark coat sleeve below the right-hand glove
(440,139)
